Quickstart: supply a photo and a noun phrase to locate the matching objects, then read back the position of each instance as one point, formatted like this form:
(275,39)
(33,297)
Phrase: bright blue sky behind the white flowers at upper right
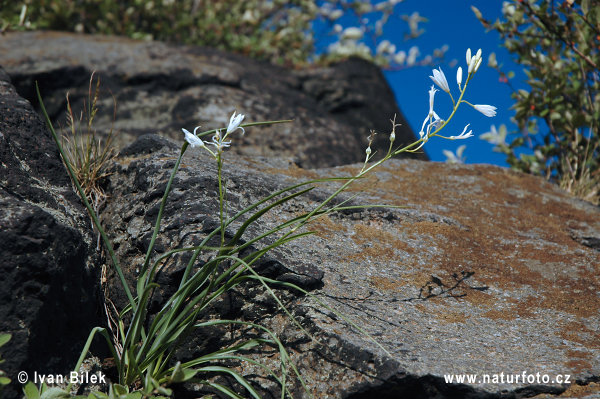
(452,23)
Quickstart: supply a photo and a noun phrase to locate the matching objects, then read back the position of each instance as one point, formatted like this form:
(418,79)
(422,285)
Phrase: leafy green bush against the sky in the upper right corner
(558,45)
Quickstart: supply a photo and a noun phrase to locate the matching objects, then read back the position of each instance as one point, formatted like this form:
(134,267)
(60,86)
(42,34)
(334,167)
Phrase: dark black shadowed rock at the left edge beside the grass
(49,287)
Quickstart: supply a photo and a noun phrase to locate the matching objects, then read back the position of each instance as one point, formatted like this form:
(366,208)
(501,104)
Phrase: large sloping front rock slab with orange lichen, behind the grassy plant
(485,271)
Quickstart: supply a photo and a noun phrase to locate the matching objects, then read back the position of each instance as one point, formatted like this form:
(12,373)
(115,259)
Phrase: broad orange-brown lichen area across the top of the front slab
(514,239)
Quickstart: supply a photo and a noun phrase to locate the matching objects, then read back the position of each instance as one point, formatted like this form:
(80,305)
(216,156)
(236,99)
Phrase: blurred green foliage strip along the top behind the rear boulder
(280,31)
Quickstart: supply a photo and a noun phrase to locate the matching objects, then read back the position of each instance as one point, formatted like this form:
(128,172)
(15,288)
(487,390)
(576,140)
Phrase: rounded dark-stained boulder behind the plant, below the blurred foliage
(160,88)
